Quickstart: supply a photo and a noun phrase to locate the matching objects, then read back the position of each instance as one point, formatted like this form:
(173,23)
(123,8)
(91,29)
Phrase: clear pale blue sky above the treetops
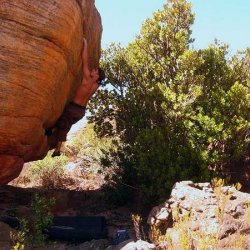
(227,20)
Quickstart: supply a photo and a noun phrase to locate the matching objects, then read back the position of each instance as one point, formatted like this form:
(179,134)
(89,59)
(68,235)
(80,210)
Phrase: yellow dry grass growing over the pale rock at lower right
(181,237)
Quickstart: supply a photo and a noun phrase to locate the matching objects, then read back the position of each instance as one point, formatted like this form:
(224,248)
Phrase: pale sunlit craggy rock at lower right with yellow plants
(205,215)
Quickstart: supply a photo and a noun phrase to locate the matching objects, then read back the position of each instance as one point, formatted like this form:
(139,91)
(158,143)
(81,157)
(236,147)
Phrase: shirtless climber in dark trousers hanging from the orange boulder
(75,110)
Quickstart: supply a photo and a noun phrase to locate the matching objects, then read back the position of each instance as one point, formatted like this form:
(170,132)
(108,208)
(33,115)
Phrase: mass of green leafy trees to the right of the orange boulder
(176,110)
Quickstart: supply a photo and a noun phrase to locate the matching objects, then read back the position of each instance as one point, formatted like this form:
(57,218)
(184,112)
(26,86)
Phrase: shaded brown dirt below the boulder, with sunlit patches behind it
(81,195)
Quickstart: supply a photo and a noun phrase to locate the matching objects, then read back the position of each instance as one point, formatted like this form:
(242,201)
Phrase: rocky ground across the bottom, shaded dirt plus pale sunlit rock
(196,216)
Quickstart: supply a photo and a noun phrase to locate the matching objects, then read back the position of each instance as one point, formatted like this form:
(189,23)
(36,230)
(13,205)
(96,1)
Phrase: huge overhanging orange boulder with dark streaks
(40,67)
